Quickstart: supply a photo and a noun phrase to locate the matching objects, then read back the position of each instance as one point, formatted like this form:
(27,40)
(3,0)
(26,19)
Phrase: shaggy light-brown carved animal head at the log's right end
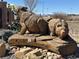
(58,27)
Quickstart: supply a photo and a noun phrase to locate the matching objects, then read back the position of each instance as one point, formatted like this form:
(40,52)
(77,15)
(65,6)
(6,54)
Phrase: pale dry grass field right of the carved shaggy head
(74,30)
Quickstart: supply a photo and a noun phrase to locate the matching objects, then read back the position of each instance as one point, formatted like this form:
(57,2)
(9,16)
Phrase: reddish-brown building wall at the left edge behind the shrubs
(7,15)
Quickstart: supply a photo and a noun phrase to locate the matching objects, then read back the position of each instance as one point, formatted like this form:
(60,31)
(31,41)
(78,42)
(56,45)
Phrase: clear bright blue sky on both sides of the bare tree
(51,6)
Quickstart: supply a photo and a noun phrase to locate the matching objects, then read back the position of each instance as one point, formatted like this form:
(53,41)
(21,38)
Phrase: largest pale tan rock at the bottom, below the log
(28,53)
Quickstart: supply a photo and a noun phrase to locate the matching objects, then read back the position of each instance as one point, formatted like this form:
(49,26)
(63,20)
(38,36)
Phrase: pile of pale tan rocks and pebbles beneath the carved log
(35,53)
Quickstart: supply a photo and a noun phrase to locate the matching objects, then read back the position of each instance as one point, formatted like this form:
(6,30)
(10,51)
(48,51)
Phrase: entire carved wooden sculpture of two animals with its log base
(58,41)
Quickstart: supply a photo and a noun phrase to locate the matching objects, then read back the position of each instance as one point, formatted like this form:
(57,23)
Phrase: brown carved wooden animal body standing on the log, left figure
(31,22)
